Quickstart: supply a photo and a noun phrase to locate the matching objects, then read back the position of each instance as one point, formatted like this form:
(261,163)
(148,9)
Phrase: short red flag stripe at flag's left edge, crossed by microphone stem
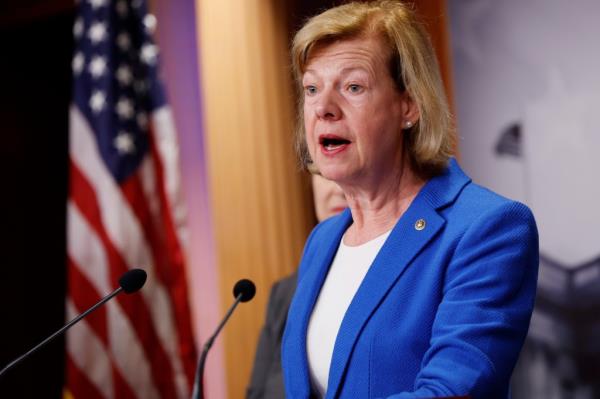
(84,296)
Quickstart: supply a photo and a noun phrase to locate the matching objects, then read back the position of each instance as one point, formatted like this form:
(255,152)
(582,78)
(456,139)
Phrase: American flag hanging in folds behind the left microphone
(124,211)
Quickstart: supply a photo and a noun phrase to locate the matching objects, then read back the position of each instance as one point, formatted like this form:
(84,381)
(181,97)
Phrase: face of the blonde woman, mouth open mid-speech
(353,112)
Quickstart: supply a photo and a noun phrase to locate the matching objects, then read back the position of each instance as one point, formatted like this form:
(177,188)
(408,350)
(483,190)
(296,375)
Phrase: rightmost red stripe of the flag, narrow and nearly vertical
(178,286)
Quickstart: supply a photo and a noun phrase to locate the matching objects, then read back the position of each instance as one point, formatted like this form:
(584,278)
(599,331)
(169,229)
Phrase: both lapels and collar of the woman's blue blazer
(403,244)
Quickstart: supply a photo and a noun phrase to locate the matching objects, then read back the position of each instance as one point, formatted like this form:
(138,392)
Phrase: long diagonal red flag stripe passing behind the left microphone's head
(82,194)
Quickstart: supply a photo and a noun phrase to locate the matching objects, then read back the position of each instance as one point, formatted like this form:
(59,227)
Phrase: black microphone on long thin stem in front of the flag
(129,282)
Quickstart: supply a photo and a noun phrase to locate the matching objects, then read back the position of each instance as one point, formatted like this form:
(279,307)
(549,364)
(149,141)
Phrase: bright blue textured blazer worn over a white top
(442,311)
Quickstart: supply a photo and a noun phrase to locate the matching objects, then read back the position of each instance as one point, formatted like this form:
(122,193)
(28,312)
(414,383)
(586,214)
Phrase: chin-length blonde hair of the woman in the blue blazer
(413,66)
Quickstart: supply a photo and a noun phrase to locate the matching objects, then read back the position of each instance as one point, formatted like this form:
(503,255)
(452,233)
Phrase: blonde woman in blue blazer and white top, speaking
(425,286)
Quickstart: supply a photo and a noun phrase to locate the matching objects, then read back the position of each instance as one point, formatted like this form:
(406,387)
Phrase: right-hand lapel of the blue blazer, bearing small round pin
(406,240)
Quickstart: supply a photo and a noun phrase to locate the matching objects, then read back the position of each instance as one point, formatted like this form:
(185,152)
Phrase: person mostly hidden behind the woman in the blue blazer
(266,381)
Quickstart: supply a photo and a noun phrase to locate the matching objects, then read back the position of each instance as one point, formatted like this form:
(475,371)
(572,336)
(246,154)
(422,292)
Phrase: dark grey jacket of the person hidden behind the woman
(267,377)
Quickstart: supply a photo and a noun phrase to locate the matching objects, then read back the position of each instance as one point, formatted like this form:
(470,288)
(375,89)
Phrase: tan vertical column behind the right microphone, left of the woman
(261,204)
